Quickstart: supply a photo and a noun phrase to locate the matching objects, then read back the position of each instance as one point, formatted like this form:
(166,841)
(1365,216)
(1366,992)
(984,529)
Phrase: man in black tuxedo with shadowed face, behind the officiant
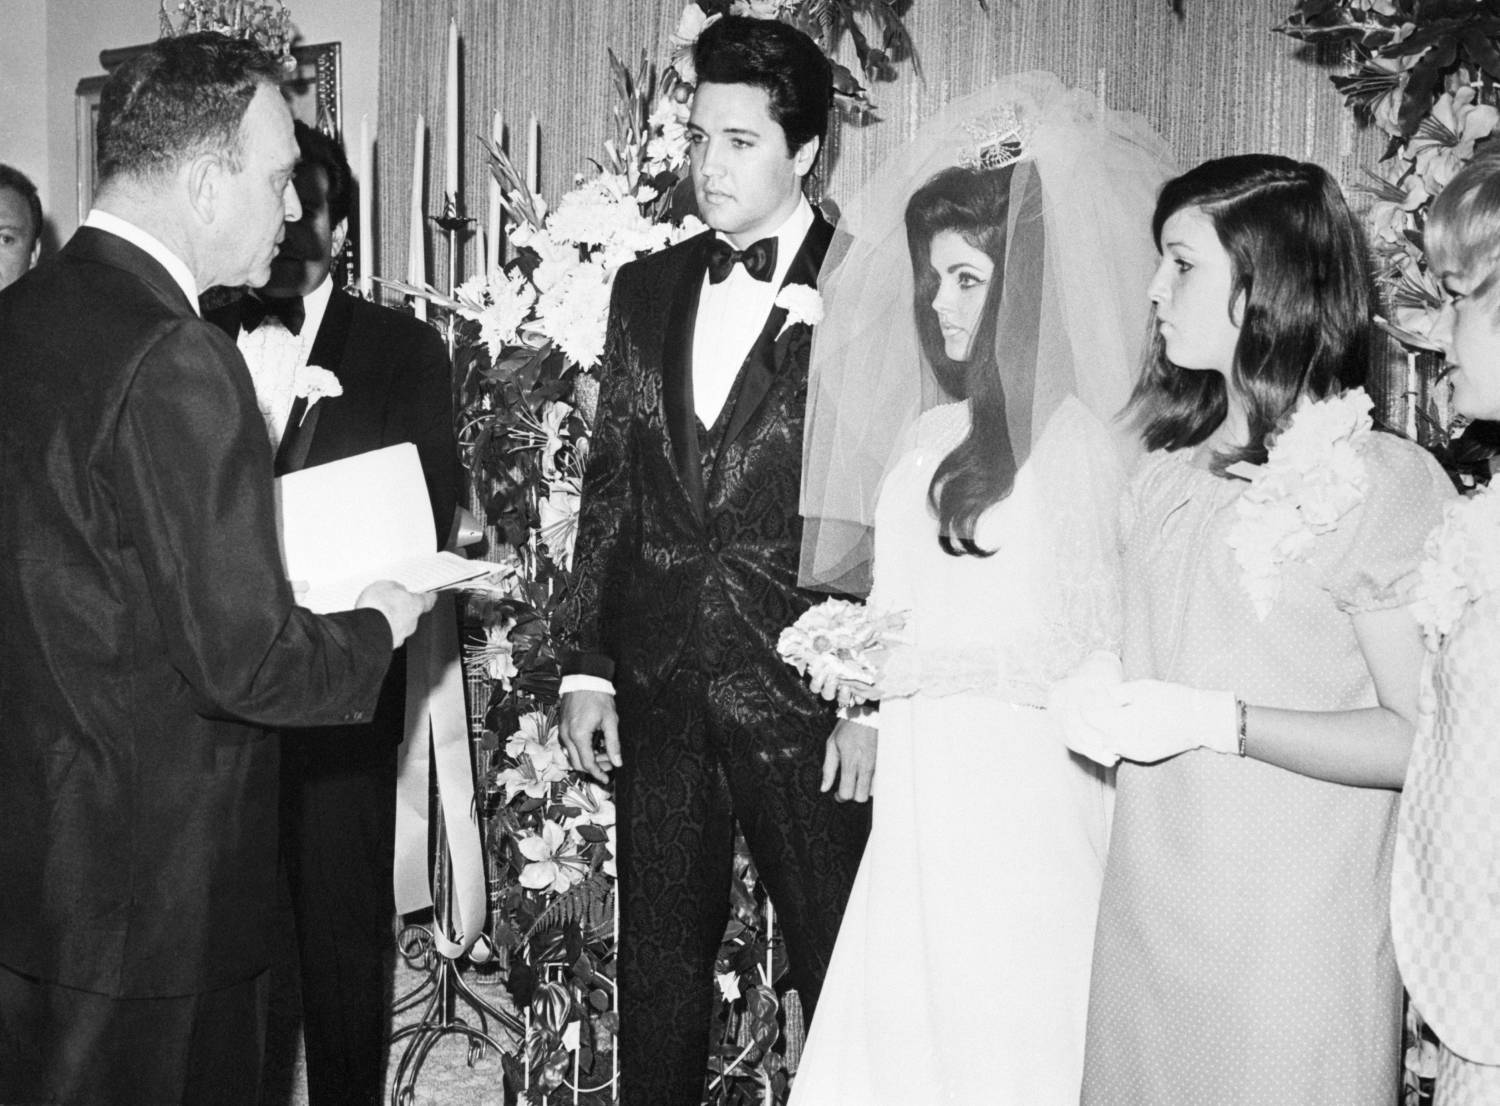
(340,784)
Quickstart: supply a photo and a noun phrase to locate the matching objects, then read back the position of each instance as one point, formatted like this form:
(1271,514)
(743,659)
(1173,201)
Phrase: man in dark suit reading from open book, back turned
(151,639)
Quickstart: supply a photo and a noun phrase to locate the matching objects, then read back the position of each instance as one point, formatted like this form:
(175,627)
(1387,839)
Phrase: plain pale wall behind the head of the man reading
(46,49)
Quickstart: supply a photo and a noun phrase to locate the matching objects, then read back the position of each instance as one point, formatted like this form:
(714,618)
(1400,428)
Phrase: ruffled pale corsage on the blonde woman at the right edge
(1462,564)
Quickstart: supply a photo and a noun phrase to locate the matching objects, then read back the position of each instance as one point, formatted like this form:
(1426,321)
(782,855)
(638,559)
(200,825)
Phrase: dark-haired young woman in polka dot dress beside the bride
(1271,542)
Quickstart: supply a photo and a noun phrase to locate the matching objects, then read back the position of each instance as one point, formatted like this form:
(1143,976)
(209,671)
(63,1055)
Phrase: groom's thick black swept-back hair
(779,59)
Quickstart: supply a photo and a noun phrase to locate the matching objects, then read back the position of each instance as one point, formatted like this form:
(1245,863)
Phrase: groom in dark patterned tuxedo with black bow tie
(688,558)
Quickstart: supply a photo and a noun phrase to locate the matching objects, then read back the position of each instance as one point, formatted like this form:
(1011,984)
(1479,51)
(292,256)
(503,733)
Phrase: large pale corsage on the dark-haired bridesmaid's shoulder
(1313,478)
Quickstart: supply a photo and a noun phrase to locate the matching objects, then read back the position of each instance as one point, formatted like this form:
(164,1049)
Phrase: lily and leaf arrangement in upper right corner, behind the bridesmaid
(1424,73)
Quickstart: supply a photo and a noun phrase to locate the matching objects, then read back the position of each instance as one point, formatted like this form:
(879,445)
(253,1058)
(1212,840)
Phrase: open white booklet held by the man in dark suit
(350,523)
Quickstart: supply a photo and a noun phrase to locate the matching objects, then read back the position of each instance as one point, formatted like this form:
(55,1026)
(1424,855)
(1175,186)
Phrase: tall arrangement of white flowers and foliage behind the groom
(529,344)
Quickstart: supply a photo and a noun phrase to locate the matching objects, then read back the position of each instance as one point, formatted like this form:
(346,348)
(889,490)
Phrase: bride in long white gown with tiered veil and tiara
(982,332)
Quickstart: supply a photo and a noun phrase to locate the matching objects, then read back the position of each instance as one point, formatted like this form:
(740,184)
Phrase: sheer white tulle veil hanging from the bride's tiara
(1067,320)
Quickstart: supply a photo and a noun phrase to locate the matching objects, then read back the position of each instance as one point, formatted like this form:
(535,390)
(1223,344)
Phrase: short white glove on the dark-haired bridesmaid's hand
(1153,720)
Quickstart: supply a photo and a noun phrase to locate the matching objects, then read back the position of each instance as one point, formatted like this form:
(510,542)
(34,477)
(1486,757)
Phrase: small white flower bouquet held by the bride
(836,646)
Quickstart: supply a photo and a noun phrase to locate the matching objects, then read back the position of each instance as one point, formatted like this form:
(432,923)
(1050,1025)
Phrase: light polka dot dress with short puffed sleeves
(1244,949)
